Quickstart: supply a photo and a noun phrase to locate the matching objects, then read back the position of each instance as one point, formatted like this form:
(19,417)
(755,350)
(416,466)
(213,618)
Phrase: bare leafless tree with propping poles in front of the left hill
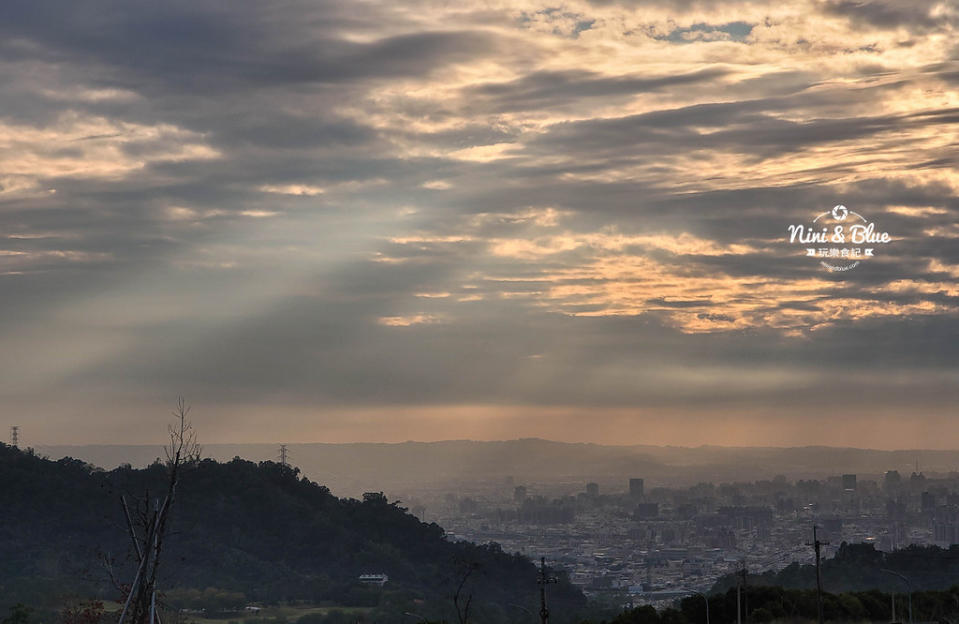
(148,530)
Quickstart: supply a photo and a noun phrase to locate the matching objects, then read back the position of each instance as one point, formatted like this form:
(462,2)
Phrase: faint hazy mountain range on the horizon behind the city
(351,469)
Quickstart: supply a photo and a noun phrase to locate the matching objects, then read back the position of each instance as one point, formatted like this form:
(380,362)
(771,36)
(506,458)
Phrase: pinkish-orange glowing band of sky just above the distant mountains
(888,431)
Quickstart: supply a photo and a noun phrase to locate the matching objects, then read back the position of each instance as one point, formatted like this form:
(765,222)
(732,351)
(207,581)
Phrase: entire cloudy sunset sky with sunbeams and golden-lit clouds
(380,221)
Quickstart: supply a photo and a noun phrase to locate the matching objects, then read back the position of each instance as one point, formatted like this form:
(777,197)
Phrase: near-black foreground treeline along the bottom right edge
(766,604)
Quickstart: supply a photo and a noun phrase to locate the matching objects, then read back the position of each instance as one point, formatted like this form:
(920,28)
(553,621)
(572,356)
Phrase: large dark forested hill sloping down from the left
(257,529)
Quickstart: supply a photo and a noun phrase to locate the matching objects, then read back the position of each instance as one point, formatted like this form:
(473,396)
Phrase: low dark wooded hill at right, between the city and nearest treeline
(860,567)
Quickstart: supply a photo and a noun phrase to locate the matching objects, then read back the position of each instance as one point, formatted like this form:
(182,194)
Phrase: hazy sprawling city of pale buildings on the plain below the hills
(627,539)
